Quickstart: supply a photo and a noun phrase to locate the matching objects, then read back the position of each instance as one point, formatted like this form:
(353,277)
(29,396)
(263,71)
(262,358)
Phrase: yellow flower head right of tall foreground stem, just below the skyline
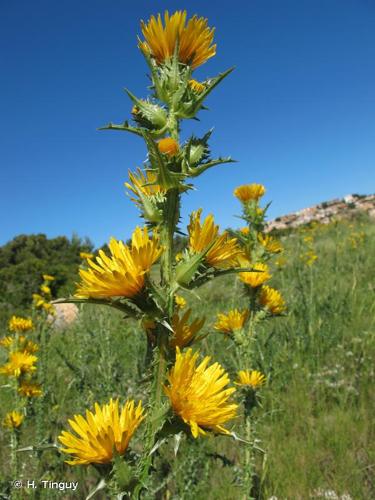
(224,250)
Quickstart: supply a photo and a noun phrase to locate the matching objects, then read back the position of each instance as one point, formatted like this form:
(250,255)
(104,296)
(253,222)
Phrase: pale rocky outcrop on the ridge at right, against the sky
(326,211)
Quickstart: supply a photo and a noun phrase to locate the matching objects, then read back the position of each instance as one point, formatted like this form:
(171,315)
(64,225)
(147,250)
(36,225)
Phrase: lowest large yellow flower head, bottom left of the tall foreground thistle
(101,434)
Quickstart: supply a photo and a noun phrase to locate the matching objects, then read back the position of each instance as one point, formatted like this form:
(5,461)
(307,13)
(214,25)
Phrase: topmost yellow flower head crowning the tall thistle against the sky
(194,38)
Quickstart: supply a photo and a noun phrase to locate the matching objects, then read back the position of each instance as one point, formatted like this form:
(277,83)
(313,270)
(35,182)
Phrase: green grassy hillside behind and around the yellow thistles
(315,426)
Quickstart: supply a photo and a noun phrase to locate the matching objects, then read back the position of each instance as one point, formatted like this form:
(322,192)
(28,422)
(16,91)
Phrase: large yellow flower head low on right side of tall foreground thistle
(197,393)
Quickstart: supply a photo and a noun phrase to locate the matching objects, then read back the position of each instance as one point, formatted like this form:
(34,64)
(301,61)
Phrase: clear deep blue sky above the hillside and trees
(298,113)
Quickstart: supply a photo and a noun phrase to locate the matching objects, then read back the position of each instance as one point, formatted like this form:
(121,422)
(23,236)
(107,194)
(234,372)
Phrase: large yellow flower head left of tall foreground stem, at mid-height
(123,273)
